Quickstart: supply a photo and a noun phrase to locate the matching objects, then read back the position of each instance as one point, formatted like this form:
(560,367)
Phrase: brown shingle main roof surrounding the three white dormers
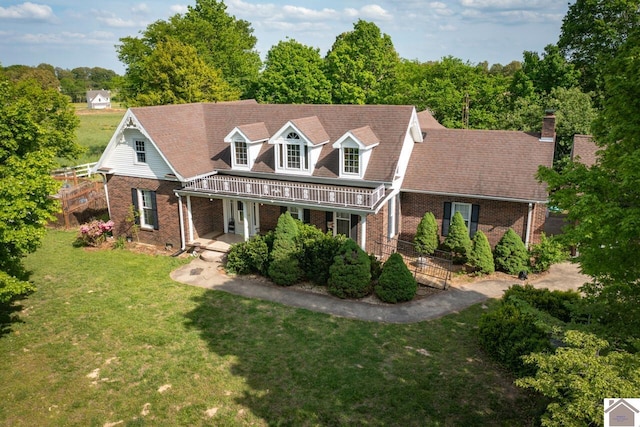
(184,133)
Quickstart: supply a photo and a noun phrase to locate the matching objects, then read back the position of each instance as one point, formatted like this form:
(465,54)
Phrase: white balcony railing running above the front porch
(288,191)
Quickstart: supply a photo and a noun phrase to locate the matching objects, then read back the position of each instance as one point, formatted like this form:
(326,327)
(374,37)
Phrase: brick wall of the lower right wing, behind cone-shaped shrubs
(496,217)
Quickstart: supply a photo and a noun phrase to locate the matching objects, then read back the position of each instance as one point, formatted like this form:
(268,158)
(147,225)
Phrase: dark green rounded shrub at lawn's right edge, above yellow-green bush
(508,333)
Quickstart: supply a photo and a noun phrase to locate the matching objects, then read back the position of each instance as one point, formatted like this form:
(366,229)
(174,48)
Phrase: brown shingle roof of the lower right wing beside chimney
(493,164)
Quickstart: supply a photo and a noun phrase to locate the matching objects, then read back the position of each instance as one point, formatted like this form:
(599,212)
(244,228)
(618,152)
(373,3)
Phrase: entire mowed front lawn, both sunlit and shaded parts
(109,337)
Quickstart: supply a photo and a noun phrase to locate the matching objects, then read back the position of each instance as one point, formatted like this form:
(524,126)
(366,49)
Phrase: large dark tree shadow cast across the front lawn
(307,368)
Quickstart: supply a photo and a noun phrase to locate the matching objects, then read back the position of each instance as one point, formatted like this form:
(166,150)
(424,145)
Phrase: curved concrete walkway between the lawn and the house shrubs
(210,275)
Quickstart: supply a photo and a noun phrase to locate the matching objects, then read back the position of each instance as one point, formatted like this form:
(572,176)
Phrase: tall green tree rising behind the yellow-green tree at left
(220,40)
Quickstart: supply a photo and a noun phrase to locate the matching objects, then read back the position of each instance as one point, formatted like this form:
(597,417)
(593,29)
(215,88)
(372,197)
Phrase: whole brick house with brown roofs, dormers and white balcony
(361,170)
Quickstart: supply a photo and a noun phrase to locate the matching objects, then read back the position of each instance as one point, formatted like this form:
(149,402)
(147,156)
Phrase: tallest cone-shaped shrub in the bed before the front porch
(284,268)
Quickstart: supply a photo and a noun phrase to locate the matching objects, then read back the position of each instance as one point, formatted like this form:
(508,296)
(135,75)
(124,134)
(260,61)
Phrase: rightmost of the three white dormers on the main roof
(355,151)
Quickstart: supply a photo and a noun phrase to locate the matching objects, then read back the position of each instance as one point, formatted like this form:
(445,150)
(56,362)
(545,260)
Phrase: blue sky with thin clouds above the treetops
(79,33)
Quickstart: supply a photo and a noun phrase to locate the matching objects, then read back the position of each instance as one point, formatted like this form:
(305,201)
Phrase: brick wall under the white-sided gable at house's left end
(119,188)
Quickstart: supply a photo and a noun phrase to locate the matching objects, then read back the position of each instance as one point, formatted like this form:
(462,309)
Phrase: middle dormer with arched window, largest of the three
(297,146)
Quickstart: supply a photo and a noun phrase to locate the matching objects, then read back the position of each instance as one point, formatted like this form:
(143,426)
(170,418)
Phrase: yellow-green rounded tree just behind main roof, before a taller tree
(174,74)
